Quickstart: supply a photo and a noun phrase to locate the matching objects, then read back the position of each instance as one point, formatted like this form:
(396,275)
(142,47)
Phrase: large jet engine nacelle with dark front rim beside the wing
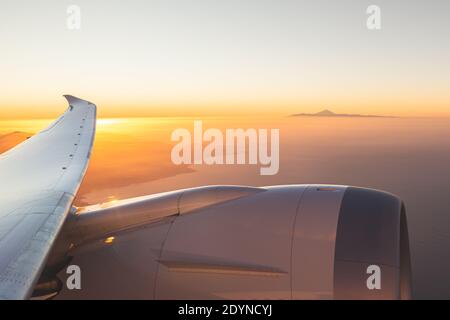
(232,242)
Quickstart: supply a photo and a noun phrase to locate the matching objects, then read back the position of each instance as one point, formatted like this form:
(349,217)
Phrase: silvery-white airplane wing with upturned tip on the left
(38,181)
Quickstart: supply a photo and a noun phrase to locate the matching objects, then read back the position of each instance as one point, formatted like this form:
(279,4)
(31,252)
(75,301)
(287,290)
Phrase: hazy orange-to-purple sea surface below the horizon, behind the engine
(409,157)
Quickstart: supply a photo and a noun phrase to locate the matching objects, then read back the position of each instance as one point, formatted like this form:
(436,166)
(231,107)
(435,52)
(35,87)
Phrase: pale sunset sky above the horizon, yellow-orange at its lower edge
(168,57)
